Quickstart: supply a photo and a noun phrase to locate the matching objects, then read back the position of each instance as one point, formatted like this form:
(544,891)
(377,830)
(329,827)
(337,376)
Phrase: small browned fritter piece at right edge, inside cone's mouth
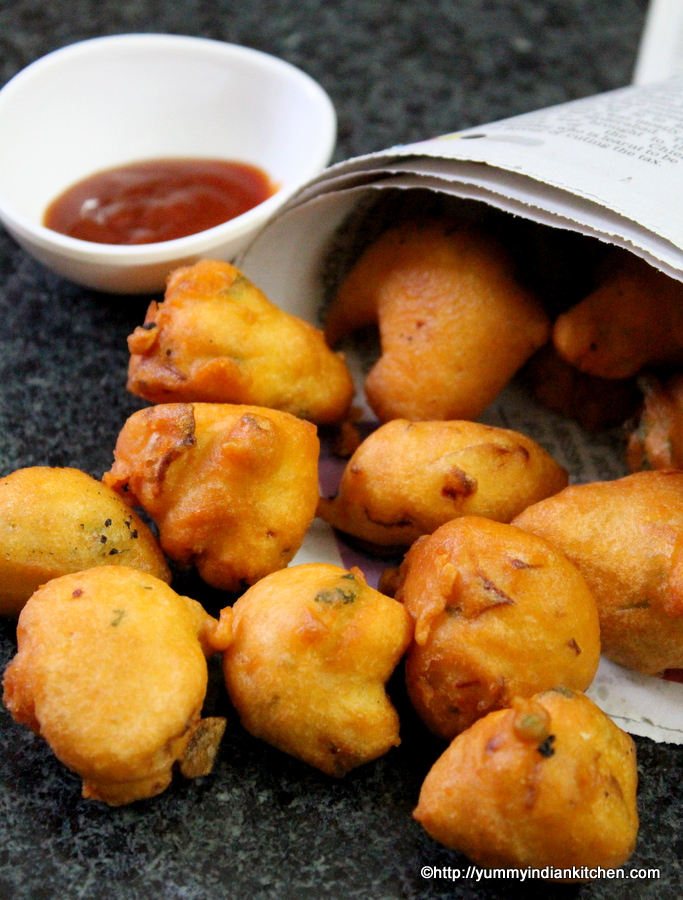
(658,438)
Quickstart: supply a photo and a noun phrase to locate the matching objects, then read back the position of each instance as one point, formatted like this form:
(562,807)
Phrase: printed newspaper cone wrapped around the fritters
(610,167)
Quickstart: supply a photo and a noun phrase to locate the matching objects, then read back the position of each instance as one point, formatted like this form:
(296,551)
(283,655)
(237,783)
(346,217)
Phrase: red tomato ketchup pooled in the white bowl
(157,200)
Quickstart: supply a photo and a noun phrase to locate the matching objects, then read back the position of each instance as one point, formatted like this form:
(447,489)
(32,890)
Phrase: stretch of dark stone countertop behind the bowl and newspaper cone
(397,70)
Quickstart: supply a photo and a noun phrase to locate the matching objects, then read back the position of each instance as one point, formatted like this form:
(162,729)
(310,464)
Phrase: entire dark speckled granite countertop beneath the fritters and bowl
(263,825)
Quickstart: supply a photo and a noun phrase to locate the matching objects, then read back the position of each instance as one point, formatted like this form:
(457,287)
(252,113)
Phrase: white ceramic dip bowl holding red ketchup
(114,100)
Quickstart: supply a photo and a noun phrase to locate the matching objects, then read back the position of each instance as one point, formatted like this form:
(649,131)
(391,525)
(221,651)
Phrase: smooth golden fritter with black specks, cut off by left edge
(54,521)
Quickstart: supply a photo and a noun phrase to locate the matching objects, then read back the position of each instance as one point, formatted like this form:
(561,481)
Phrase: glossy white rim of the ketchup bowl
(161,251)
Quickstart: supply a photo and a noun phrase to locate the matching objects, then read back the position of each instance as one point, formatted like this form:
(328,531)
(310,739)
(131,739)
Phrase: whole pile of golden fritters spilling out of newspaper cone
(511,581)
